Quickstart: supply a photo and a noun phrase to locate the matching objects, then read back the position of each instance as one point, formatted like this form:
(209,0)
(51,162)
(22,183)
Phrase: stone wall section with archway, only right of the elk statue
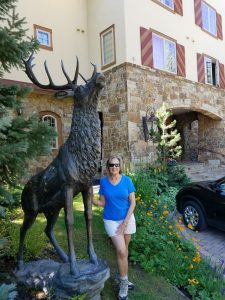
(131,89)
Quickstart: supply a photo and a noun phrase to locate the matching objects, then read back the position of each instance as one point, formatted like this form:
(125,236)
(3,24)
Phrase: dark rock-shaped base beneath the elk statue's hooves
(55,280)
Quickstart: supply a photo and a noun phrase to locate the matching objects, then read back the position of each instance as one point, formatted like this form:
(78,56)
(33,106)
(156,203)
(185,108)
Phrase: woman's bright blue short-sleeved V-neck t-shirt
(116,197)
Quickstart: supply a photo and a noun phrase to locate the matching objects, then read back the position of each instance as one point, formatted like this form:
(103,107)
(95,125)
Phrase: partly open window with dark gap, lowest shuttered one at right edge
(211,71)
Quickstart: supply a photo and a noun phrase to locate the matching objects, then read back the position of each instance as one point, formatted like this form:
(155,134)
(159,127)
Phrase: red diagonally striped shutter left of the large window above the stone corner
(146,47)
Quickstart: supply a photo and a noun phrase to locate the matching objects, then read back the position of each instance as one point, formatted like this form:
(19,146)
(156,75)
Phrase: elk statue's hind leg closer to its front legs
(51,220)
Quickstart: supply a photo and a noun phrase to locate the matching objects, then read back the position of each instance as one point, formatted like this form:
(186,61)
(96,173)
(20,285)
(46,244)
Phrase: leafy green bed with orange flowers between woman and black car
(159,247)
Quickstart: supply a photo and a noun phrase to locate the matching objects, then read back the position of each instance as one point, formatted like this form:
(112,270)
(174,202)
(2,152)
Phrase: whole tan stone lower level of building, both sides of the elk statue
(130,90)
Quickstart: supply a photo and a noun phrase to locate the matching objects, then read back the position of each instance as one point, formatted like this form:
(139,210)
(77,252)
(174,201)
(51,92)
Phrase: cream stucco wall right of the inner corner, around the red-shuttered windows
(129,15)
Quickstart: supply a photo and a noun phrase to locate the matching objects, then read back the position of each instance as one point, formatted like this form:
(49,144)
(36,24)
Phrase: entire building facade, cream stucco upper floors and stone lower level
(151,51)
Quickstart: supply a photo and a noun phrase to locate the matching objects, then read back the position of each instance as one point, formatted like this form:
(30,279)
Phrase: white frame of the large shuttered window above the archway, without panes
(165,68)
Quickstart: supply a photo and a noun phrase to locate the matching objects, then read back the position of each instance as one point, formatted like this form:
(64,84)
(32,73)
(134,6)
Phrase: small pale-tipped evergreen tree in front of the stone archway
(166,136)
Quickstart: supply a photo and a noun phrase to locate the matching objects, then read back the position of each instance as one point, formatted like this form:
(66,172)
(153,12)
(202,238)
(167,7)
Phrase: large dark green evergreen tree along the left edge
(20,139)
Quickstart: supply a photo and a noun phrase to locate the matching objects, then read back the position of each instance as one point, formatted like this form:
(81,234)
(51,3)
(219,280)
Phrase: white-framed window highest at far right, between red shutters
(209,22)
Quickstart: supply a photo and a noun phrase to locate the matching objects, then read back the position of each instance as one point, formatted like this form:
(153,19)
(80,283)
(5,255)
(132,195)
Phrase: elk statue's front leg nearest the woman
(87,196)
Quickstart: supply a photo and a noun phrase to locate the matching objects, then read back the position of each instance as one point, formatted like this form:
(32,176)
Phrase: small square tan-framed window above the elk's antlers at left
(44,36)
